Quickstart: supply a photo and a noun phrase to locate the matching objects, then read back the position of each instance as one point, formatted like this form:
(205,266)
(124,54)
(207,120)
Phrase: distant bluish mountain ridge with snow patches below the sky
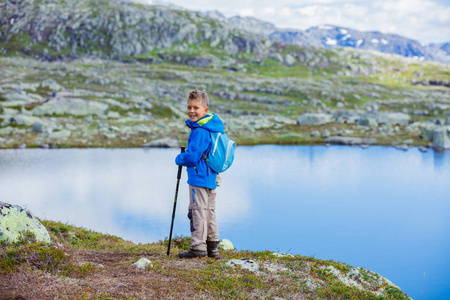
(329,36)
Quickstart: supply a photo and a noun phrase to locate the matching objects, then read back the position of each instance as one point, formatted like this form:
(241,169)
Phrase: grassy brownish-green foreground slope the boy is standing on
(82,264)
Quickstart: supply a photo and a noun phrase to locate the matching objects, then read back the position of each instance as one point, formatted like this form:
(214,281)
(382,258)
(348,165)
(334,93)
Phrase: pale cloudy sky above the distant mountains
(427,21)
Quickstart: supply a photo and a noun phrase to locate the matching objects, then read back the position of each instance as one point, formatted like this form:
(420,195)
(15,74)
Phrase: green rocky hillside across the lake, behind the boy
(116,74)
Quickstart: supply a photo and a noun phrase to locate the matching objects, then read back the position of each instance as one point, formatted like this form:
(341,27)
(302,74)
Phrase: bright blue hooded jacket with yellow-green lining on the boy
(199,142)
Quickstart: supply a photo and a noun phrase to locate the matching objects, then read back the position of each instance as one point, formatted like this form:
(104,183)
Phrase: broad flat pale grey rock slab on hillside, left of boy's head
(71,106)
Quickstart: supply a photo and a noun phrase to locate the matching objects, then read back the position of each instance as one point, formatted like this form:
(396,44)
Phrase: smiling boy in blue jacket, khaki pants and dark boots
(201,179)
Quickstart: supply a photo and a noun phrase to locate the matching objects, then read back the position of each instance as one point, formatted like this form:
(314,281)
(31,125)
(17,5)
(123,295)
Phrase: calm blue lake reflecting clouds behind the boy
(379,208)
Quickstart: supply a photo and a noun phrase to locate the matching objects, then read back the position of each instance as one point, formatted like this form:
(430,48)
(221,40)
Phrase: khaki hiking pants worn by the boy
(202,214)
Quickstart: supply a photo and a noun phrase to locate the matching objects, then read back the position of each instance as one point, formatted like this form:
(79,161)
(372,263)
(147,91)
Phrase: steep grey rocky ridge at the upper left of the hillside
(58,29)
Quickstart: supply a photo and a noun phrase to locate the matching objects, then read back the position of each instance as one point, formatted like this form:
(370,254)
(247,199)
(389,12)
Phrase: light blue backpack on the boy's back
(221,154)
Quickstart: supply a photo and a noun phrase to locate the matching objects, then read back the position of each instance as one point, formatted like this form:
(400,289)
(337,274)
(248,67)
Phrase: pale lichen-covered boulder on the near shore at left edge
(14,220)
